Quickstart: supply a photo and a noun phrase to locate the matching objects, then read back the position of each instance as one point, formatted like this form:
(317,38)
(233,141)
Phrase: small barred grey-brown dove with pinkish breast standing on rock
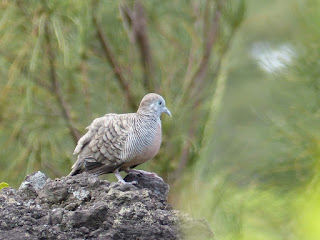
(120,142)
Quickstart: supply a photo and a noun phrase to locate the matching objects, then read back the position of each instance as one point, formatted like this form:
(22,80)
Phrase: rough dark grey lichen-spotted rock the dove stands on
(85,207)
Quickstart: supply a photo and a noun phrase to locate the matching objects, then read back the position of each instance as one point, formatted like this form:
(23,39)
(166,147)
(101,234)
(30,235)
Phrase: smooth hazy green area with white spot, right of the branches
(258,177)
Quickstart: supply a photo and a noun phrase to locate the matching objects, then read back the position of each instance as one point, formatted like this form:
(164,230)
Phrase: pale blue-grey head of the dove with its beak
(154,104)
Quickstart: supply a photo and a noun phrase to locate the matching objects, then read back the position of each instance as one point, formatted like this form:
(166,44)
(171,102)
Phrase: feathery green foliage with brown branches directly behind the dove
(64,63)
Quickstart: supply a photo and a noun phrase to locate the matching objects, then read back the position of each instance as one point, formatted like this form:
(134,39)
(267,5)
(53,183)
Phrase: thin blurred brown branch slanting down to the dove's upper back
(114,64)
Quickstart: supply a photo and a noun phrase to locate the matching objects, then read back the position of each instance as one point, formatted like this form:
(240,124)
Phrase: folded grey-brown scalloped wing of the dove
(103,146)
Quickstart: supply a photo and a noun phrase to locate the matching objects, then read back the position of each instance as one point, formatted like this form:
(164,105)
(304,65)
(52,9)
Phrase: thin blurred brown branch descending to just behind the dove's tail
(57,89)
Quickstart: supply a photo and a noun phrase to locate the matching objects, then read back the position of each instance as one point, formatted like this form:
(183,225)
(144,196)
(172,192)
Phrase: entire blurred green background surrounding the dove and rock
(241,78)
